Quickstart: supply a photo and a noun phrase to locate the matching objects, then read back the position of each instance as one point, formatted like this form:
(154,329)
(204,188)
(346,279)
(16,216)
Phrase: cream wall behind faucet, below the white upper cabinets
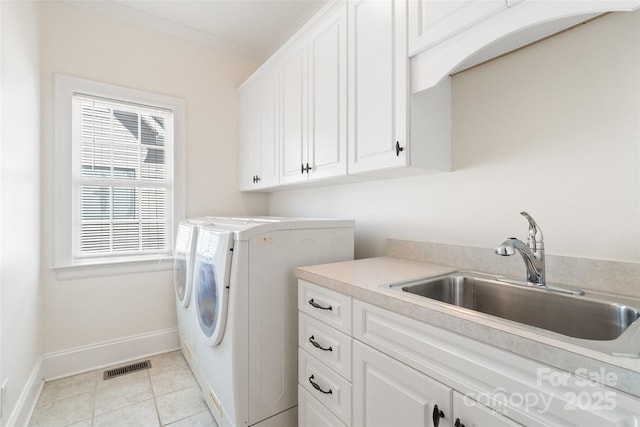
(552,129)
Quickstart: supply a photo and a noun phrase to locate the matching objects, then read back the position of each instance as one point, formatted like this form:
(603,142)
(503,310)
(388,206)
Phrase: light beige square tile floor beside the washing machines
(165,395)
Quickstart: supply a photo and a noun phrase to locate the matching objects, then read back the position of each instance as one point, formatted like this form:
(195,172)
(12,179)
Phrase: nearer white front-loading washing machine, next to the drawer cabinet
(246,304)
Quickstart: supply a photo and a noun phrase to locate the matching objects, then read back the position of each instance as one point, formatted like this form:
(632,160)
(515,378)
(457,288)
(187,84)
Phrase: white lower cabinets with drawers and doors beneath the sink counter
(364,366)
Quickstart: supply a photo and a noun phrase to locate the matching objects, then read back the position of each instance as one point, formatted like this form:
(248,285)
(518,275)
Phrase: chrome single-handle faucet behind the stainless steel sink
(532,252)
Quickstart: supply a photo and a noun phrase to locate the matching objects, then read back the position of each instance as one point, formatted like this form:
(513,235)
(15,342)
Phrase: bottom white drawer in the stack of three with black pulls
(328,387)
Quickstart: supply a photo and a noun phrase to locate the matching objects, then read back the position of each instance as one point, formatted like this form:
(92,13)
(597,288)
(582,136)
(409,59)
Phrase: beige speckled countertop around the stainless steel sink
(362,280)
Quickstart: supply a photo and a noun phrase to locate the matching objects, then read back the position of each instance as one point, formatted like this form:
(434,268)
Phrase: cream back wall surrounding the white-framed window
(83,44)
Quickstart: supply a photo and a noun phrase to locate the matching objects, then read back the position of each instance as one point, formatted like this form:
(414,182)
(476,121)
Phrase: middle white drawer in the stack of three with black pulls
(326,344)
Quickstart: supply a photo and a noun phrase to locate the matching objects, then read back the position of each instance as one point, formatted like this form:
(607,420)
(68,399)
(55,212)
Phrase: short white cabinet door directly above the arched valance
(432,21)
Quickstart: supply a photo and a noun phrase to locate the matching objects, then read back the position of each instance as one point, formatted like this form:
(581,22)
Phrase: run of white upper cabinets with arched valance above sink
(364,89)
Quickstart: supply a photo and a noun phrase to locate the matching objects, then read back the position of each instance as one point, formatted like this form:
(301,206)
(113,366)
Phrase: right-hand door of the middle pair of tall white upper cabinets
(328,97)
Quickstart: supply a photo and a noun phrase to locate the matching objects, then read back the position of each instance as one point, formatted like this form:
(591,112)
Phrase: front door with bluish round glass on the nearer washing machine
(211,282)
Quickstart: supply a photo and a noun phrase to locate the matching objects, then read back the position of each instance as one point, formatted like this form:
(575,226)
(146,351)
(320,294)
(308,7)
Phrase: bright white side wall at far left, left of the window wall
(20,335)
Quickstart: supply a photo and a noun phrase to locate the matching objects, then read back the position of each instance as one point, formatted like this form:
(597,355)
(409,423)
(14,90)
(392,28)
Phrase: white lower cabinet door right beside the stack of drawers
(389,393)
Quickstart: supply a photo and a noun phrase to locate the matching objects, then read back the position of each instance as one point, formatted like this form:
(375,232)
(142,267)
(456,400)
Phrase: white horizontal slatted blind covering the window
(122,179)
